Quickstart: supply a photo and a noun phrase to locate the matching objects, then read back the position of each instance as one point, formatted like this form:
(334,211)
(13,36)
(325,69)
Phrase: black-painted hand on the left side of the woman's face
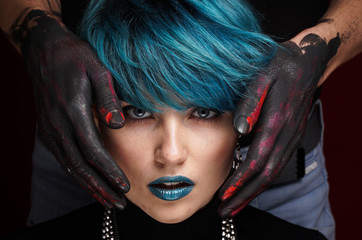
(67,79)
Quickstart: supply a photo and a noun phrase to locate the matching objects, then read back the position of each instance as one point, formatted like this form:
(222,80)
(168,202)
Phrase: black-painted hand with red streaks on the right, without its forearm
(283,97)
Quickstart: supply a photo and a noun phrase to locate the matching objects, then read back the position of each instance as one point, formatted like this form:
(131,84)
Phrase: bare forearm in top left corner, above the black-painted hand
(13,13)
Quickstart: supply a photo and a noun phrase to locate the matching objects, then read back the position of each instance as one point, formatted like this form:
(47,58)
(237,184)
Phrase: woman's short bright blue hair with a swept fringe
(178,53)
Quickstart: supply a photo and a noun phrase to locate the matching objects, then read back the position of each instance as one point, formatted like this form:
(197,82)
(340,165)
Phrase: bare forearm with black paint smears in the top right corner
(344,19)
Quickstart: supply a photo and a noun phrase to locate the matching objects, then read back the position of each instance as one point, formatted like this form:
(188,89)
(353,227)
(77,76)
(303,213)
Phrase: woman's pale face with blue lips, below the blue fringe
(175,161)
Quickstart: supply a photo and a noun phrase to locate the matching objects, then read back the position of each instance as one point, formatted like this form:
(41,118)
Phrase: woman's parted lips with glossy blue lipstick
(171,188)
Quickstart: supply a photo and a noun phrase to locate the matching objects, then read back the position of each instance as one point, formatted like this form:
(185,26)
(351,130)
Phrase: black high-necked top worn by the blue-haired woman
(133,223)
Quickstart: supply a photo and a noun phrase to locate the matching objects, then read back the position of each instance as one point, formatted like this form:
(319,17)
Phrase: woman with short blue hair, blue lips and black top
(179,68)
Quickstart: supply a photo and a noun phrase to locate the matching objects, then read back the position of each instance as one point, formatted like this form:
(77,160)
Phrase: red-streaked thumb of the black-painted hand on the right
(248,110)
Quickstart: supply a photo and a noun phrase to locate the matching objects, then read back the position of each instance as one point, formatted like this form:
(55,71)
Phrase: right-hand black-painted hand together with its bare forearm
(279,111)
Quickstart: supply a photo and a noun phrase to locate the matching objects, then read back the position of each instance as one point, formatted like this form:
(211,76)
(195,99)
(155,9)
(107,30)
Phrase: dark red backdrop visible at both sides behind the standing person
(342,105)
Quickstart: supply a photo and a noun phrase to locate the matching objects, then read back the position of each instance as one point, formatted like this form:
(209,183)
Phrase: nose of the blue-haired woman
(171,150)
